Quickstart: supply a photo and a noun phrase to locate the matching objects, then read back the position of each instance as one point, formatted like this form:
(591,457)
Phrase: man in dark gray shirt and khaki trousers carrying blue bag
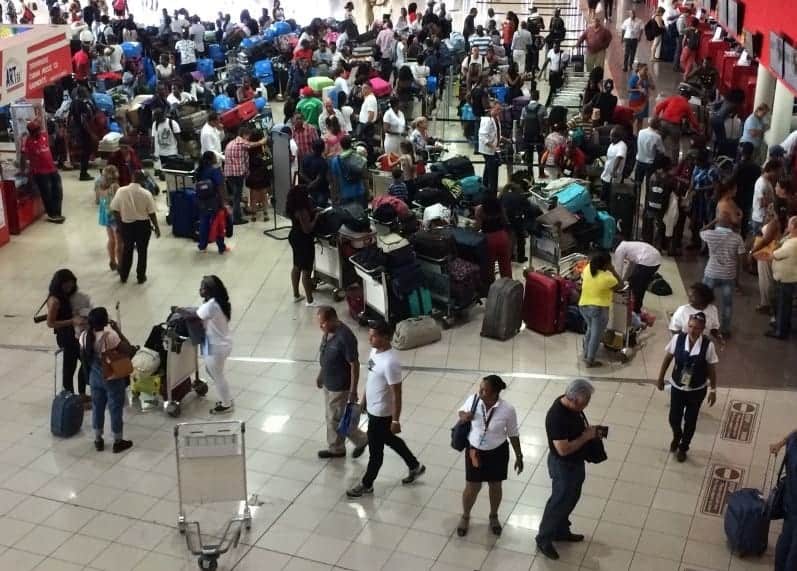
(338,377)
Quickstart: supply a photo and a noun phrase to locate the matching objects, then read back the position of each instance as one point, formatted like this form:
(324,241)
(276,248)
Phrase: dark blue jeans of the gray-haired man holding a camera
(567,477)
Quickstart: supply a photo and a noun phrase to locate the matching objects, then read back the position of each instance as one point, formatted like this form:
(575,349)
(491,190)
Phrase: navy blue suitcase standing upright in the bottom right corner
(747,522)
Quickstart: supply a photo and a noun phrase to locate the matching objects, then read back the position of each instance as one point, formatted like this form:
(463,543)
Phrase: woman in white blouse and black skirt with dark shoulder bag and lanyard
(493,421)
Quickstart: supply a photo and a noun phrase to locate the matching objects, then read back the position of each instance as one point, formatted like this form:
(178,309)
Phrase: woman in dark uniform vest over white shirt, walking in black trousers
(694,376)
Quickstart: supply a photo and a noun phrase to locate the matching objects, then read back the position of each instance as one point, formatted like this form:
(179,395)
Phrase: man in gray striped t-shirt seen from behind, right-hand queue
(725,252)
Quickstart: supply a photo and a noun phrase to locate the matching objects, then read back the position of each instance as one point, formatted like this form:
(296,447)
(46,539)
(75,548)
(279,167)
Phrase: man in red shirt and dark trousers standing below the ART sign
(39,159)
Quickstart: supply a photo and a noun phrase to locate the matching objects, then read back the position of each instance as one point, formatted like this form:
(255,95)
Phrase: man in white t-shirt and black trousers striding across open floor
(382,402)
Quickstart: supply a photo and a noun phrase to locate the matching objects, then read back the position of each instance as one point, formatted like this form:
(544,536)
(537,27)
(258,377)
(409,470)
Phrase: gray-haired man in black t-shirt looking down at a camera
(571,442)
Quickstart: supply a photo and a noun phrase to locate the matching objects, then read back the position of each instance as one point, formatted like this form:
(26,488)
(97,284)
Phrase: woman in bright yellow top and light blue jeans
(599,282)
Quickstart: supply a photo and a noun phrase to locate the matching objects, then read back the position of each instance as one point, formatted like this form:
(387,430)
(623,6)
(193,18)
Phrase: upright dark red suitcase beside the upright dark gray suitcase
(544,303)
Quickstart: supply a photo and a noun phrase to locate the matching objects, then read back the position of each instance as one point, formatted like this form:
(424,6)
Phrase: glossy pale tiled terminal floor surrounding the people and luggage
(66,507)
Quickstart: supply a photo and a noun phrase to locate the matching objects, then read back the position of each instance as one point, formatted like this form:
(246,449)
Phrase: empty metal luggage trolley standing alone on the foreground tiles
(211,468)
